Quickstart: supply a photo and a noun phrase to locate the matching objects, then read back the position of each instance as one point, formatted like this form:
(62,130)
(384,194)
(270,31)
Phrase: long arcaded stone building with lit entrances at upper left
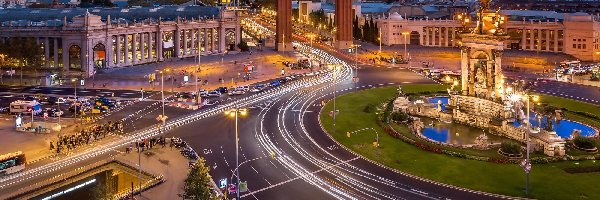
(85,40)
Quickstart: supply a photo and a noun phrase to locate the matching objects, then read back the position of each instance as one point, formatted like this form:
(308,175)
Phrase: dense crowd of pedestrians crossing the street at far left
(86,136)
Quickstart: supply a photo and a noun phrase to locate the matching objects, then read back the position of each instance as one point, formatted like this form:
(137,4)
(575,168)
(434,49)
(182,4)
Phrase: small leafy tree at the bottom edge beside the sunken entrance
(197,184)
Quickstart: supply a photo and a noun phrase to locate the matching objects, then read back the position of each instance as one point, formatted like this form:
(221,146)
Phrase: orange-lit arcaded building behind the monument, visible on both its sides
(576,34)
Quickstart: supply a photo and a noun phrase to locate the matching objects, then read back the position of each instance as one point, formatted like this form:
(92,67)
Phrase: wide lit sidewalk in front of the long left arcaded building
(213,67)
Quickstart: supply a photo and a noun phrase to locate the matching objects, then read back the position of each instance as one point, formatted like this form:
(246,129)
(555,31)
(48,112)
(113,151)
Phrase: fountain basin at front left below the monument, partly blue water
(452,133)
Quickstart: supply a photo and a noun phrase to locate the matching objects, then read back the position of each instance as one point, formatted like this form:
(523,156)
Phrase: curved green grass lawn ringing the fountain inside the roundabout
(547,181)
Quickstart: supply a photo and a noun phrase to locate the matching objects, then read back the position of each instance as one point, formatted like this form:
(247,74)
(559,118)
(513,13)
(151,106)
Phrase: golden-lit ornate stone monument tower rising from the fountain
(481,54)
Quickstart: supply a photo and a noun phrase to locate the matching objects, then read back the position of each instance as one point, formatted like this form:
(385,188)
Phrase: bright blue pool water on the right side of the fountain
(563,128)
